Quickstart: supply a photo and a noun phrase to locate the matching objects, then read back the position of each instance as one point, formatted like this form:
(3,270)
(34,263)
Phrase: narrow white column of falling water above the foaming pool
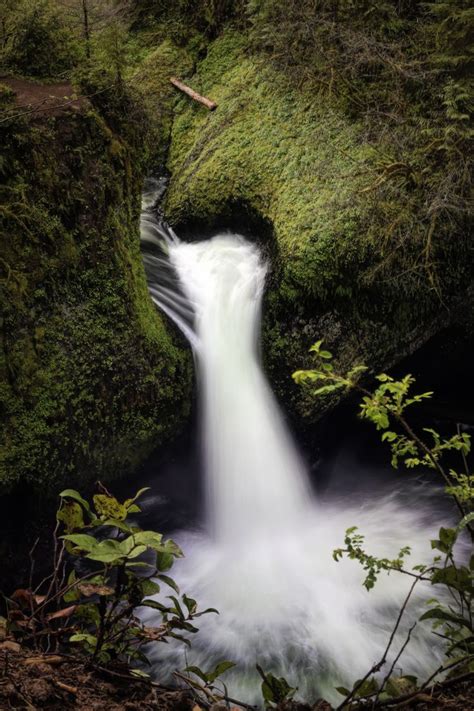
(252,466)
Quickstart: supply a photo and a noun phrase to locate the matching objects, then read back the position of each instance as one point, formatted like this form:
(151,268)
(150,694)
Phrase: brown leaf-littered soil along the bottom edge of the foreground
(30,680)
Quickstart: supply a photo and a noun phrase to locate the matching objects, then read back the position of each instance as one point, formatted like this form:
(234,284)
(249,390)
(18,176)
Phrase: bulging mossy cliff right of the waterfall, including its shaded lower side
(353,261)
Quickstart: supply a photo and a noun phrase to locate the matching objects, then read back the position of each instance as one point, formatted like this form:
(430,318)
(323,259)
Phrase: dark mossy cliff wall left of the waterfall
(90,376)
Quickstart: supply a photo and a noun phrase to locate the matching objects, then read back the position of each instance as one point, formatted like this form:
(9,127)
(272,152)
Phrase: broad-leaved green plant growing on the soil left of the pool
(105,568)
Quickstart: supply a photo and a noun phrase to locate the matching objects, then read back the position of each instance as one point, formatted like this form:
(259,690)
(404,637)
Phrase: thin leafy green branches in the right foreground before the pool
(452,607)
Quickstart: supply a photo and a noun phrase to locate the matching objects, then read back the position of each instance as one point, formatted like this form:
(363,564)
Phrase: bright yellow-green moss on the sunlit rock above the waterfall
(264,148)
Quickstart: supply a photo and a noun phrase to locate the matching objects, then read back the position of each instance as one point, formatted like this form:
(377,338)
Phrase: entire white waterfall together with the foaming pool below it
(264,559)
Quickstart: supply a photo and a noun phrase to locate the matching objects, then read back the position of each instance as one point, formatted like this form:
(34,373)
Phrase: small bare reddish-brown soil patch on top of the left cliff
(44,99)
